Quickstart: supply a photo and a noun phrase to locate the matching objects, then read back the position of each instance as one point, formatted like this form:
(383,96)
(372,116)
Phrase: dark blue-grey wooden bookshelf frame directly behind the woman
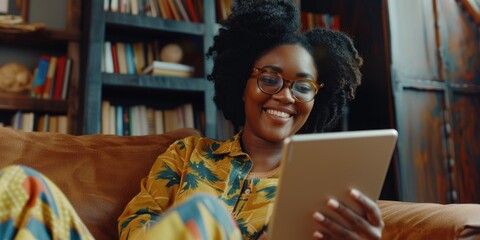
(159,91)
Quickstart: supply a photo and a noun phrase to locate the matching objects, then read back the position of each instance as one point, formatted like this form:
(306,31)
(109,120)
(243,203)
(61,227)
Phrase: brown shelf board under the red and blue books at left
(21,101)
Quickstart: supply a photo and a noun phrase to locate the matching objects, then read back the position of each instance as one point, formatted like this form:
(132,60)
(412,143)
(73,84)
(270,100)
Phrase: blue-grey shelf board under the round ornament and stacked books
(157,81)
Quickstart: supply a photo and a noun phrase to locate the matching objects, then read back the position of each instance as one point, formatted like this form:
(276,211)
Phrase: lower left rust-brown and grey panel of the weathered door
(422,162)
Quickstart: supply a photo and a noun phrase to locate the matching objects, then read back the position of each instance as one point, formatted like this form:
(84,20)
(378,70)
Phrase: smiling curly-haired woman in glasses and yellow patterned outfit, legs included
(272,82)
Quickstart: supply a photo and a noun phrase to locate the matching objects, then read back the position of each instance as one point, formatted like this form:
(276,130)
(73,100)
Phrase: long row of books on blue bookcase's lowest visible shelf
(142,120)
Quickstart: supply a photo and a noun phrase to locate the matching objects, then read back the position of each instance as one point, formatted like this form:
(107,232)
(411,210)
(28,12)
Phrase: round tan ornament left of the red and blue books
(15,77)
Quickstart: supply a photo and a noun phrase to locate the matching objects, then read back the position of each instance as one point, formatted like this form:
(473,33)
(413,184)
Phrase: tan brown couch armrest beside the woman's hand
(404,220)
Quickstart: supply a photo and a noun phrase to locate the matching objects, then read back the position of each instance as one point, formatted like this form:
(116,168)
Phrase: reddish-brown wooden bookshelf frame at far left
(25,48)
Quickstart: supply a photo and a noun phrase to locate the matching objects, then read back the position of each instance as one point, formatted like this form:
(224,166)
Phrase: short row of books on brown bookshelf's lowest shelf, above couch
(36,122)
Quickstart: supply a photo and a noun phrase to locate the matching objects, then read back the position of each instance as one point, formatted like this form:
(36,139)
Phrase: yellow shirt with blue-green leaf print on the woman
(194,165)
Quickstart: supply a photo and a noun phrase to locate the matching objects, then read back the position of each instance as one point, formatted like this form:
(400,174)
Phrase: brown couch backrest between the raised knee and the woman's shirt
(99,174)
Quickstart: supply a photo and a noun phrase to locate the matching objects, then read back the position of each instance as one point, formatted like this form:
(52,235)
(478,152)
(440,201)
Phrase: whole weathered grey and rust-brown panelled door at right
(435,68)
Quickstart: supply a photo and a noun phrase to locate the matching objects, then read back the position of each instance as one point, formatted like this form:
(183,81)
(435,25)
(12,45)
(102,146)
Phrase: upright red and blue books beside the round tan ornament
(51,78)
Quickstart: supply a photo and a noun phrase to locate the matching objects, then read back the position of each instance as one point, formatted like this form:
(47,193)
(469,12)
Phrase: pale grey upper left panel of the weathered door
(413,40)
